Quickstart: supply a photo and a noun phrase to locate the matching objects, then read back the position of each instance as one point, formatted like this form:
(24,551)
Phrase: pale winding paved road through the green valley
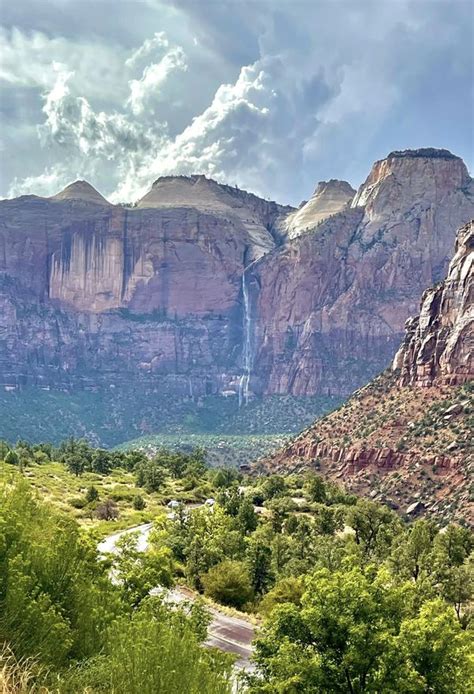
(230,634)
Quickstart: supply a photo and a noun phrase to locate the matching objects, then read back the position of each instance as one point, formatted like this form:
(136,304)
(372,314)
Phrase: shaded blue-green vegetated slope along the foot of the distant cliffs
(111,417)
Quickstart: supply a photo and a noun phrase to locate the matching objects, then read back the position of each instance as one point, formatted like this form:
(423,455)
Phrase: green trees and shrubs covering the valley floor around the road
(352,598)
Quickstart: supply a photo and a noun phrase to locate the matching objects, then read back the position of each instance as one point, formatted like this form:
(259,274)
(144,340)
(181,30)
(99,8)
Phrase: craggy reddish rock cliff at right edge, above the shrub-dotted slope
(439,344)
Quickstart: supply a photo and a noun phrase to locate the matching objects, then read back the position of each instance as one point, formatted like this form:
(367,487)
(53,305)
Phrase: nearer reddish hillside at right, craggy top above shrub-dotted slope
(406,438)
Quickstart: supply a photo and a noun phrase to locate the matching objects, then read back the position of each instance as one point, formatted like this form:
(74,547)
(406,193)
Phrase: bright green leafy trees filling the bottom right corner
(359,630)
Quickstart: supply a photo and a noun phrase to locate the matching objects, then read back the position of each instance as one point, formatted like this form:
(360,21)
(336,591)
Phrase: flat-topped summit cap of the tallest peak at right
(426,174)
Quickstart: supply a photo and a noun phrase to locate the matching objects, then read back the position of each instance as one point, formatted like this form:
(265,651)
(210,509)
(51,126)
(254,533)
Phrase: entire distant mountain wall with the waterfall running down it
(196,300)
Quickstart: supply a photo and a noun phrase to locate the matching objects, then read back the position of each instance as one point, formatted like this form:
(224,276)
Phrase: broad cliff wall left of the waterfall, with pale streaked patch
(94,294)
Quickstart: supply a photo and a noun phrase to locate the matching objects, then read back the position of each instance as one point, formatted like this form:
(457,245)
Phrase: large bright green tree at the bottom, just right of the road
(337,640)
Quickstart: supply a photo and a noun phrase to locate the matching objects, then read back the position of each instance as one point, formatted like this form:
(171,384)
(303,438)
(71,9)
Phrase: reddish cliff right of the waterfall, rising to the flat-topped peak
(331,305)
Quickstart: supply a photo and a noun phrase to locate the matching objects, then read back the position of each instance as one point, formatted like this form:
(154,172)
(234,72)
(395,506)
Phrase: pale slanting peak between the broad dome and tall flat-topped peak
(329,198)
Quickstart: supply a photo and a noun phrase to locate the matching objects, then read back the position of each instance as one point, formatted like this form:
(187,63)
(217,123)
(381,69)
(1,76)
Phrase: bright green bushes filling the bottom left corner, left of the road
(58,604)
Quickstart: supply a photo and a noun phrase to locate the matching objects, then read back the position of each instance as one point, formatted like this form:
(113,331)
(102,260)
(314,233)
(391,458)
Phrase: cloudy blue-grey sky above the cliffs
(269,95)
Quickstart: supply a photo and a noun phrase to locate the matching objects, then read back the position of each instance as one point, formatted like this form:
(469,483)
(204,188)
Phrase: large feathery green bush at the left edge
(55,597)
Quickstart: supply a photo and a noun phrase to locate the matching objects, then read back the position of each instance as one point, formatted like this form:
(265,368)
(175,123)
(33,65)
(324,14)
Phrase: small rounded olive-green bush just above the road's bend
(228,583)
